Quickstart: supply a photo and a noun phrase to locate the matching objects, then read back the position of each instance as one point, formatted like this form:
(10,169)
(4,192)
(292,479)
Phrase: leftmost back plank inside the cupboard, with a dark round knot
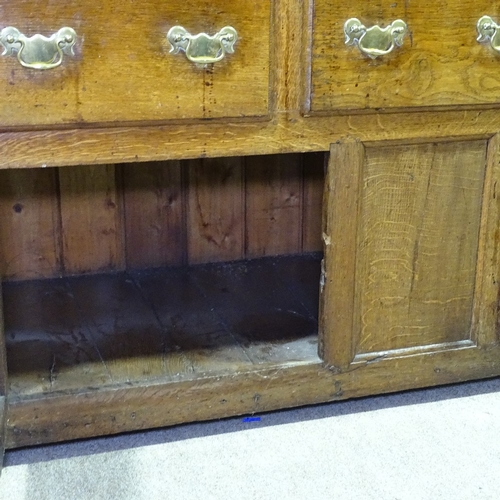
(29,224)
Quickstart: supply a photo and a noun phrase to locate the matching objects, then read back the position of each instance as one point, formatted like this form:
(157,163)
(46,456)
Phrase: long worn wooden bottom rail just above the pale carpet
(39,420)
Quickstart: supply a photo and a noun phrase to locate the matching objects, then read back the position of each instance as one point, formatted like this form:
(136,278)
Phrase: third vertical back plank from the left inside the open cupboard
(155,231)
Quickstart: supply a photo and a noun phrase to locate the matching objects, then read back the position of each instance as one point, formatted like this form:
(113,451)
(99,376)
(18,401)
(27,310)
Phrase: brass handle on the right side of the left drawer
(202,48)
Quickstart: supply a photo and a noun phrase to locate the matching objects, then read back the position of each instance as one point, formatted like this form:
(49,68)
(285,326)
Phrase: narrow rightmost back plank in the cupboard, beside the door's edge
(313,185)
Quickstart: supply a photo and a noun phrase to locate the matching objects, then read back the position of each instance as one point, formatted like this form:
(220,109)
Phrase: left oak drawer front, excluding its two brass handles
(122,70)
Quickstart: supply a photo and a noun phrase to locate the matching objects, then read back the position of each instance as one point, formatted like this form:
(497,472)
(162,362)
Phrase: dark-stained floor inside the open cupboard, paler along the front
(169,324)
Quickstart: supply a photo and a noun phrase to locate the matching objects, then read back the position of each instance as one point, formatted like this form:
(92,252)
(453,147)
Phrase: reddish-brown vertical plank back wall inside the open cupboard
(157,207)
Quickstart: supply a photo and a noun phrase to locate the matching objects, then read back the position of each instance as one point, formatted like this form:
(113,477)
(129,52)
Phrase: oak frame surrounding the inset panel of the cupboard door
(341,224)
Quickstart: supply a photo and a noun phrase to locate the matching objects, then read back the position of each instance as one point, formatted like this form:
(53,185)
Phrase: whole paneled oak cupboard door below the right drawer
(411,265)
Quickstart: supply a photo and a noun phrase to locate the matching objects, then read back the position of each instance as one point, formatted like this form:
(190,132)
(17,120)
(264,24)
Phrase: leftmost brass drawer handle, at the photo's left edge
(38,51)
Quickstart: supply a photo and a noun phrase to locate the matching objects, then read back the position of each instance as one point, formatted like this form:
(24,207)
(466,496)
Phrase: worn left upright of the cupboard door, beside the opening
(340,218)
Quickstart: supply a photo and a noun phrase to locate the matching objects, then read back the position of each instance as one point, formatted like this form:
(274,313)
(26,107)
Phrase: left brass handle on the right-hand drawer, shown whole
(374,41)
